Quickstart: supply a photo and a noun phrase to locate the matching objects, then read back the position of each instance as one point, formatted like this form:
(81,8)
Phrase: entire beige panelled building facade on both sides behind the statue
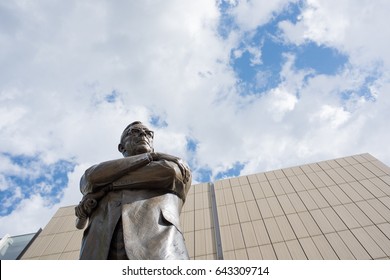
(334,209)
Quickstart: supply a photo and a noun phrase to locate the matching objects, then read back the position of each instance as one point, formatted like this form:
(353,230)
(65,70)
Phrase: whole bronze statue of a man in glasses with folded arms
(133,203)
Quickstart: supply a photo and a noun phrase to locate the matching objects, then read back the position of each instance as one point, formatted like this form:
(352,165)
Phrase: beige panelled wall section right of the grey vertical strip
(336,209)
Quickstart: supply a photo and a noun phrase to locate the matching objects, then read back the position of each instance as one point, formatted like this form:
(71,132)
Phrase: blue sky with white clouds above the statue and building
(232,87)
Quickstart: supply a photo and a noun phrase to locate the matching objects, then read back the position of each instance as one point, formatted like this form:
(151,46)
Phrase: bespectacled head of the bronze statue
(136,139)
